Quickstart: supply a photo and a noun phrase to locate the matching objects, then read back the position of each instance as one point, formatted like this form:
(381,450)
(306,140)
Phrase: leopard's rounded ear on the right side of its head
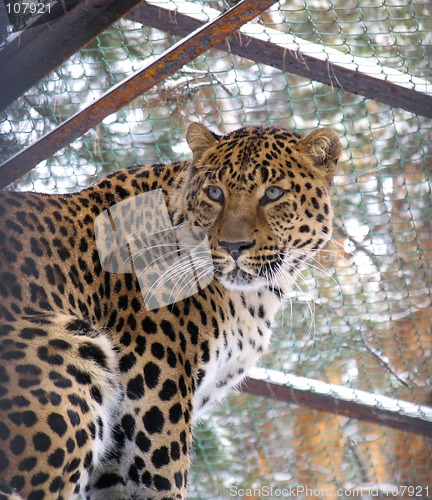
(324,148)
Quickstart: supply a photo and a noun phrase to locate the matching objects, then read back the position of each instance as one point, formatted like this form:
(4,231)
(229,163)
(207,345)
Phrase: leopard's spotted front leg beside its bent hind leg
(151,457)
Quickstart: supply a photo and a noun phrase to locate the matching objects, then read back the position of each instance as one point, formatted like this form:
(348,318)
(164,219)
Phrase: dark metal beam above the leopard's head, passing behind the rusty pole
(294,62)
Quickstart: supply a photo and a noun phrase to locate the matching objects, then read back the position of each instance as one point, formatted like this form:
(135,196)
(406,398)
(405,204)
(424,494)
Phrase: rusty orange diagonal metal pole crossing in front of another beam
(203,38)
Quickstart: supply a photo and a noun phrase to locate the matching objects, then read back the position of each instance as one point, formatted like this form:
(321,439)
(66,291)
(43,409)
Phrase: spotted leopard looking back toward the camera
(99,392)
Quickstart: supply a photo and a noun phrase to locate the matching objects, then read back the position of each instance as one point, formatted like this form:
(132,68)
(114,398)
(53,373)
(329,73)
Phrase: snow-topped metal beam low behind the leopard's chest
(365,409)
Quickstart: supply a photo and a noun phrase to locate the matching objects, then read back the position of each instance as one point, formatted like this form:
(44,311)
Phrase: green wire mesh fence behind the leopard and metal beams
(361,314)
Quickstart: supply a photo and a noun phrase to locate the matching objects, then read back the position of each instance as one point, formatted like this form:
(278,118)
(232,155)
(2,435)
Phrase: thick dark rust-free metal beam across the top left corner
(53,39)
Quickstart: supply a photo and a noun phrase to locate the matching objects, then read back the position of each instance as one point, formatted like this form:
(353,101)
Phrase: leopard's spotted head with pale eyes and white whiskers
(262,194)
